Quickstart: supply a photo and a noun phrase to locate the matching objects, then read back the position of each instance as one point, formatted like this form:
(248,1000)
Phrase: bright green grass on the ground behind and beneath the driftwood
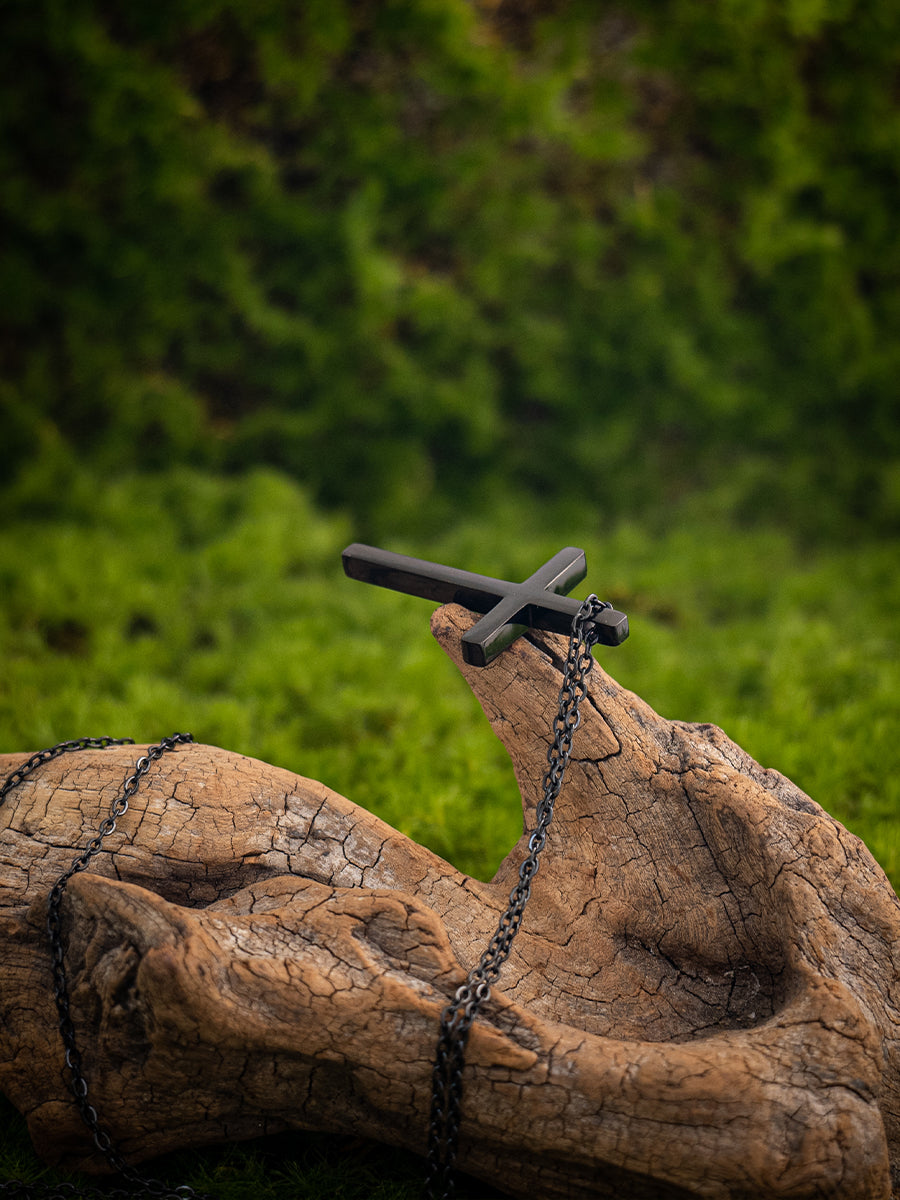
(188,603)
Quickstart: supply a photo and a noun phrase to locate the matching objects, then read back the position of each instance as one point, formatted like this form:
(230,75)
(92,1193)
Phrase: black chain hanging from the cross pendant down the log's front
(458,1017)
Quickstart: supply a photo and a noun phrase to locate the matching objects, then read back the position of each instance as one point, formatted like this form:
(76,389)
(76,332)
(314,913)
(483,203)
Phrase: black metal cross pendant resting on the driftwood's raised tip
(511,609)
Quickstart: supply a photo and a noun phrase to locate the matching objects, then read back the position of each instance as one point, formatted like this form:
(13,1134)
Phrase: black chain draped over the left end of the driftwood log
(140,1185)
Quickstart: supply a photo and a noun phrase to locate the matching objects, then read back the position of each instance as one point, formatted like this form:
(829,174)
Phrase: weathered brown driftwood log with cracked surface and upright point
(704,999)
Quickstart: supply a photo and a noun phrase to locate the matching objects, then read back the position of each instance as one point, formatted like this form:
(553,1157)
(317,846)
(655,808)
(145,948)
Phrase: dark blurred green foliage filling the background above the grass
(422,253)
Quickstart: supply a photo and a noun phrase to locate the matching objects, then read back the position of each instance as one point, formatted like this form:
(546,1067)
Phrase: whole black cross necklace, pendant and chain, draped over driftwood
(508,610)
